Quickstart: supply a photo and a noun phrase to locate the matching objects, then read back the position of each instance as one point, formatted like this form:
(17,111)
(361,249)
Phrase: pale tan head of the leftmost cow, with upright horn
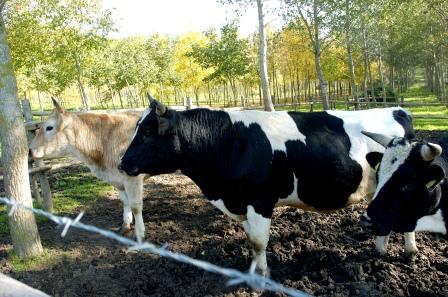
(52,138)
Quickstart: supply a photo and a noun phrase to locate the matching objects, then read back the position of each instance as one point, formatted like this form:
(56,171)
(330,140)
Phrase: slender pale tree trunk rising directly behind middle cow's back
(262,60)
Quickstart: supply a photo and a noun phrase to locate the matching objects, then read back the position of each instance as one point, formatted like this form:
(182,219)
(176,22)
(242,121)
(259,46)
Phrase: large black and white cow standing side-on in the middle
(248,162)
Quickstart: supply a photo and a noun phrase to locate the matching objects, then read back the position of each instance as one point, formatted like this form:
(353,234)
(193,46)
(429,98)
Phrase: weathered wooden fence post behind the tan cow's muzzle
(44,184)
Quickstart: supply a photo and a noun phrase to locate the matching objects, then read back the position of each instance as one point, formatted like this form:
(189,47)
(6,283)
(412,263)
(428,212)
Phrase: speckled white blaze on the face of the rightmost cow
(393,158)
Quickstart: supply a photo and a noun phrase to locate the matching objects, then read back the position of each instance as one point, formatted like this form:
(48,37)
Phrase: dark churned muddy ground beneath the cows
(322,254)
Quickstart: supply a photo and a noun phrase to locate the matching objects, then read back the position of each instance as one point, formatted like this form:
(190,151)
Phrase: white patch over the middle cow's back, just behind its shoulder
(278,126)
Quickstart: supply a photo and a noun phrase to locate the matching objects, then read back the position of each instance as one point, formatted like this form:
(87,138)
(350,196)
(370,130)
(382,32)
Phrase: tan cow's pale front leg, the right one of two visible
(134,191)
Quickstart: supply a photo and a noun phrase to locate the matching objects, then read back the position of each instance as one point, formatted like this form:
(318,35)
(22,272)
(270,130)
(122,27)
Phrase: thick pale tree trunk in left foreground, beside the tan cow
(22,224)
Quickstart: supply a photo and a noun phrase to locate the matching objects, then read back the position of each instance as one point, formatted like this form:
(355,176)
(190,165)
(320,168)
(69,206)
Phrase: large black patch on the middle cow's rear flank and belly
(326,174)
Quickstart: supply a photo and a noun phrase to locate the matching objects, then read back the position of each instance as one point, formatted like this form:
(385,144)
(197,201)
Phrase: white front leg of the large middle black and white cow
(257,230)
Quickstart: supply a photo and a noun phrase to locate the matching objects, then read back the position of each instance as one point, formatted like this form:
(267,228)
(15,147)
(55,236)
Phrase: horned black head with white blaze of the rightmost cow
(408,184)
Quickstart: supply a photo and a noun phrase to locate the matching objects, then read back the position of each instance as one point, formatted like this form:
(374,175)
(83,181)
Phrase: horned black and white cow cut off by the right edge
(412,191)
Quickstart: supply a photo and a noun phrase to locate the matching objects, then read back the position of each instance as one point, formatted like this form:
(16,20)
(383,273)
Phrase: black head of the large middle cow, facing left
(155,147)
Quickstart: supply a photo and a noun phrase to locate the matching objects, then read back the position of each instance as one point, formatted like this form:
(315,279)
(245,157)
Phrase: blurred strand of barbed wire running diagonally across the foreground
(251,278)
